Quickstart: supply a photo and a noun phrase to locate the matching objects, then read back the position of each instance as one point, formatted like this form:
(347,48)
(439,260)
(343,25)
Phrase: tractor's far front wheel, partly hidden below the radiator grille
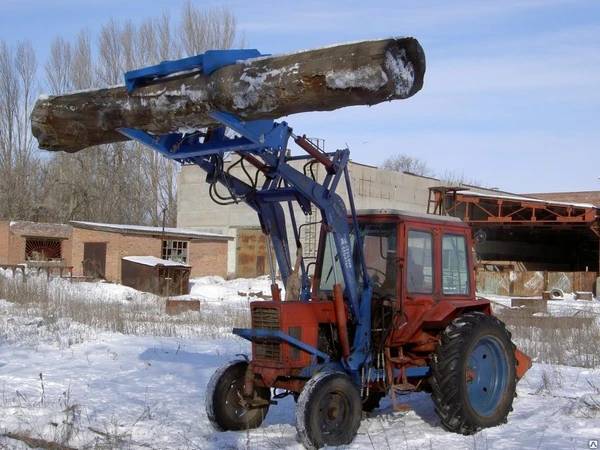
(226,408)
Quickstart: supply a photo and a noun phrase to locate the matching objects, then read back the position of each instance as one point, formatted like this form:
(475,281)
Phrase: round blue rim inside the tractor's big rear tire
(487,375)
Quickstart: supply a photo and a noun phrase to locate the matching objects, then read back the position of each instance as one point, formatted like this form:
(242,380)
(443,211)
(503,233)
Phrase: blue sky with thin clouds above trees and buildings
(510,98)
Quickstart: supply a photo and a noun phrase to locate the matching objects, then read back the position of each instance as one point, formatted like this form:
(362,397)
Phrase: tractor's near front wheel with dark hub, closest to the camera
(329,410)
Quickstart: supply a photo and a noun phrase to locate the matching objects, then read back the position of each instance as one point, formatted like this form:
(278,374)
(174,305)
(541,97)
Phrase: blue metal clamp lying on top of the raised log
(208,62)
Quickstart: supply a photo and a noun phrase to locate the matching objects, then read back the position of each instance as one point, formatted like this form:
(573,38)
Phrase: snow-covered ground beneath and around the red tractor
(75,385)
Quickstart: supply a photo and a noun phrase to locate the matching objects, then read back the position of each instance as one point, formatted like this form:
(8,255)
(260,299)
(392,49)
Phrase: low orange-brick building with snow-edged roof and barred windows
(96,249)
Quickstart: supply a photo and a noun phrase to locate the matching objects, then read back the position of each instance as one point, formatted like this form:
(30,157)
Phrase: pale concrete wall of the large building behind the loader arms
(373,188)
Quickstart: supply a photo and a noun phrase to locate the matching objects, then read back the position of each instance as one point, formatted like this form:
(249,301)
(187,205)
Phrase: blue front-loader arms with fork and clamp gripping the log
(263,145)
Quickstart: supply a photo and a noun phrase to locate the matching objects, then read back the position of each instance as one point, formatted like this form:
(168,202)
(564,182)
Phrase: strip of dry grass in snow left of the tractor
(56,312)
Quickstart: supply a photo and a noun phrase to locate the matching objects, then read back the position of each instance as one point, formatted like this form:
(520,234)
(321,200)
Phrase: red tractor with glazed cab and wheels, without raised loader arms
(423,329)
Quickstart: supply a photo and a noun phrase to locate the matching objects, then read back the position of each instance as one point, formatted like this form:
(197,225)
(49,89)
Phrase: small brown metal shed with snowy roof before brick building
(155,275)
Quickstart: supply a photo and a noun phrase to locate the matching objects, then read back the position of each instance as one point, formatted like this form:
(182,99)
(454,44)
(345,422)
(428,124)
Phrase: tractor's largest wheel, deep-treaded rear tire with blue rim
(473,373)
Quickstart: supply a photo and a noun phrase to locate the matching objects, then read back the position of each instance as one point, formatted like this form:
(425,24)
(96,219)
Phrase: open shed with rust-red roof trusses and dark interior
(536,233)
